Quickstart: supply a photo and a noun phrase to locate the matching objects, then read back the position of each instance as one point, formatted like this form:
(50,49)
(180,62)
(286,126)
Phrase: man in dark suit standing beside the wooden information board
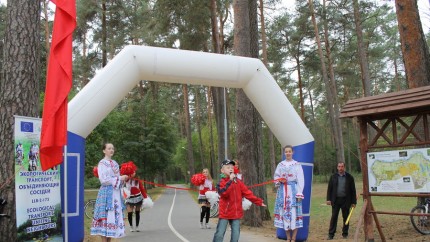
(341,195)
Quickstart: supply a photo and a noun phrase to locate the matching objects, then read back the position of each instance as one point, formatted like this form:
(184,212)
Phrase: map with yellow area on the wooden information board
(399,171)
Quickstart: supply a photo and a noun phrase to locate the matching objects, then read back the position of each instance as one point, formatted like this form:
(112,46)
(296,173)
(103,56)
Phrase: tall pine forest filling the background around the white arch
(173,131)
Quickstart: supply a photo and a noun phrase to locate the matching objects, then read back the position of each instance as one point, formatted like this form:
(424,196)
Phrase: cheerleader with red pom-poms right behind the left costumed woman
(137,194)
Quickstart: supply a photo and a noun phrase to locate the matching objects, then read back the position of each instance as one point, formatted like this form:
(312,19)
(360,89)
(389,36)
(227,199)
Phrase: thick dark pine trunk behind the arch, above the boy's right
(248,143)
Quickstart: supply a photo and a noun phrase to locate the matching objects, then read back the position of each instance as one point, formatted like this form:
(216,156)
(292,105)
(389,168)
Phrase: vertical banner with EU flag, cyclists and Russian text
(38,197)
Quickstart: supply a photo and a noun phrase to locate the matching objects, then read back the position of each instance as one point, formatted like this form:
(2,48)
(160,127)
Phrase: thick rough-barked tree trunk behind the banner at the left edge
(19,94)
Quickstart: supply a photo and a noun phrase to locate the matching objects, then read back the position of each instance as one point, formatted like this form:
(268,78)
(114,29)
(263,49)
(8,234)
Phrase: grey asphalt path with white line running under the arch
(175,216)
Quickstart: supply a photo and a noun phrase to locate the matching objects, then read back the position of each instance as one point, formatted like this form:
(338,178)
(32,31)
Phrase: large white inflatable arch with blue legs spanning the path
(134,63)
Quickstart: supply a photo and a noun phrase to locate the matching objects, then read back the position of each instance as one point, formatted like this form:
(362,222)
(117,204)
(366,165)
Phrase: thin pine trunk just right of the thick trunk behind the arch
(270,137)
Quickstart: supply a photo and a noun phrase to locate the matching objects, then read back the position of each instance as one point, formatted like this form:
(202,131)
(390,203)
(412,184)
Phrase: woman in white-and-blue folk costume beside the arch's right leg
(288,203)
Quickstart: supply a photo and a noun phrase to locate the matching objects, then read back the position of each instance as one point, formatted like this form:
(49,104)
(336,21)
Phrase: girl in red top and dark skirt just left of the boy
(203,201)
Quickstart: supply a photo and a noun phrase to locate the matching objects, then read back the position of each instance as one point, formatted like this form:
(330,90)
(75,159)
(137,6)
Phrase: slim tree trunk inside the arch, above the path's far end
(190,155)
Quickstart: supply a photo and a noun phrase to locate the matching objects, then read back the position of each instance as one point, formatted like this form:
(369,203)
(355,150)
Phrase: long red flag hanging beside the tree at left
(58,85)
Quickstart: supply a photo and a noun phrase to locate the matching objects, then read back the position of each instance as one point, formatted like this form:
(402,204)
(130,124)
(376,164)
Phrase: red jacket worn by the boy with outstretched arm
(231,194)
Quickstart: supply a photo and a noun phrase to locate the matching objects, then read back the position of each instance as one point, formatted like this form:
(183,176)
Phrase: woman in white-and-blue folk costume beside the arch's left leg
(108,221)
